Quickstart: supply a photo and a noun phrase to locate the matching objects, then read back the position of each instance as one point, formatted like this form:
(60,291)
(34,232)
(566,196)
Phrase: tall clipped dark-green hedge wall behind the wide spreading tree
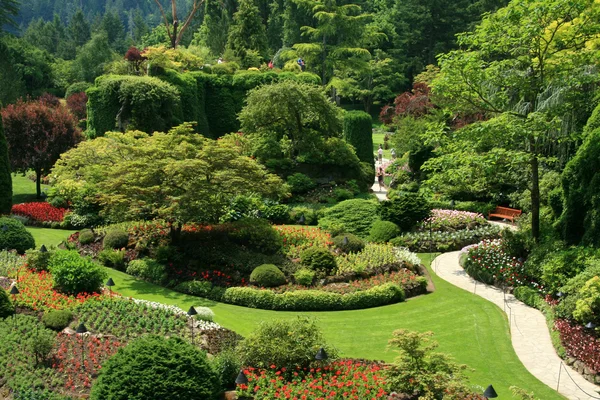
(159,103)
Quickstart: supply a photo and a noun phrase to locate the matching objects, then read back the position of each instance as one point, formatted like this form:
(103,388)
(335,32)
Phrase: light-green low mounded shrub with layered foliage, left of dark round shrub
(353,216)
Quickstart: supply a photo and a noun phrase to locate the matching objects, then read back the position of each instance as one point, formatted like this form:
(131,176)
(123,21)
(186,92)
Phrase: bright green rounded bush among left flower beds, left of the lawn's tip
(74,274)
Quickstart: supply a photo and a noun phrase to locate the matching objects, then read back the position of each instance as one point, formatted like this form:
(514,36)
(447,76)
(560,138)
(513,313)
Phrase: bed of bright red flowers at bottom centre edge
(343,379)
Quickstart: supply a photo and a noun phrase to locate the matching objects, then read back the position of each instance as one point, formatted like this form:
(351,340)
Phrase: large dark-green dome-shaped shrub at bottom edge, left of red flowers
(153,367)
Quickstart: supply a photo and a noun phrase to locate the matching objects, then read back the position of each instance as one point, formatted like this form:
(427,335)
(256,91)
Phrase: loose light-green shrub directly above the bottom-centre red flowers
(285,343)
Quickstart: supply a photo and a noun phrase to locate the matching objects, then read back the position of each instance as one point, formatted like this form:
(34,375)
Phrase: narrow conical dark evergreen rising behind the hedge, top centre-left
(247,35)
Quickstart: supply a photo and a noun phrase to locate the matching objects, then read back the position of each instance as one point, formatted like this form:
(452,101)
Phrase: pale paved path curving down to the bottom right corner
(529,332)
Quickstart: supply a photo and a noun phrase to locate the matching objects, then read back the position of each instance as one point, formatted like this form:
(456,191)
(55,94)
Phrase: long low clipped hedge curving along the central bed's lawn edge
(301,300)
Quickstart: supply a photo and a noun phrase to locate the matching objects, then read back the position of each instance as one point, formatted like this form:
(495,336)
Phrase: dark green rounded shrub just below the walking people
(405,210)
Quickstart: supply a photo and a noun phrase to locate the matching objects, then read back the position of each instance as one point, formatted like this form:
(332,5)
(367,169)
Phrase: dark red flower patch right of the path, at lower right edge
(579,343)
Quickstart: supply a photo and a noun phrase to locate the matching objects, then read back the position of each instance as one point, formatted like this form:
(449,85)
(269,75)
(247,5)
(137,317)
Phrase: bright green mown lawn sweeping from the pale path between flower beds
(471,329)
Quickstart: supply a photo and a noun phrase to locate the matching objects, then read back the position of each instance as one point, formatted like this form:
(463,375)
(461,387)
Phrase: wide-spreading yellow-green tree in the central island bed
(178,176)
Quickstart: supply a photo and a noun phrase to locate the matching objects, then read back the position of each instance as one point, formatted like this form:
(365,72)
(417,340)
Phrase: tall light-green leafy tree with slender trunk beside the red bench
(523,61)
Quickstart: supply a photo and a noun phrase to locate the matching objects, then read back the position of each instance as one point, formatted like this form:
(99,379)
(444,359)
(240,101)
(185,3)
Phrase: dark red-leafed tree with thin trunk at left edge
(37,135)
